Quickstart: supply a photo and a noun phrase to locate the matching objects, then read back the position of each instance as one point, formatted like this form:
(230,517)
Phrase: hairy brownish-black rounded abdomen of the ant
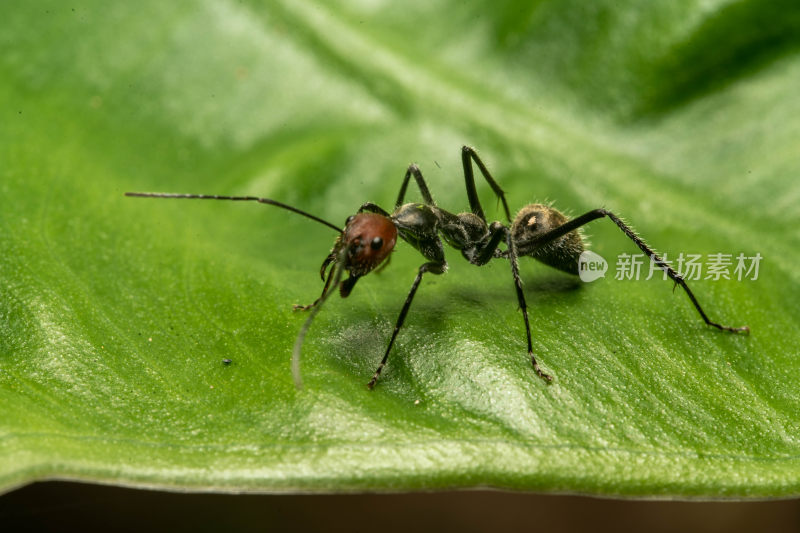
(535,220)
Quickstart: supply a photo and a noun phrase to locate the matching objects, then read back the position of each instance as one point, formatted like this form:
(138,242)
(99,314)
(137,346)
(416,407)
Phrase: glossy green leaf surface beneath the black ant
(116,313)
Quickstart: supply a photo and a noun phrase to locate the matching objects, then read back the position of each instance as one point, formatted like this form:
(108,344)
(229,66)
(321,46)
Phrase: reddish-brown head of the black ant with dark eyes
(369,238)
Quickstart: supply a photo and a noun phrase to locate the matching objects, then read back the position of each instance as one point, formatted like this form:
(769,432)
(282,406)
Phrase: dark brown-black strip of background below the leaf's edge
(62,506)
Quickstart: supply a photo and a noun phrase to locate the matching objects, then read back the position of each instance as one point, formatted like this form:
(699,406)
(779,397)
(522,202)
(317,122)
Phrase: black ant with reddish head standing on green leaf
(539,231)
